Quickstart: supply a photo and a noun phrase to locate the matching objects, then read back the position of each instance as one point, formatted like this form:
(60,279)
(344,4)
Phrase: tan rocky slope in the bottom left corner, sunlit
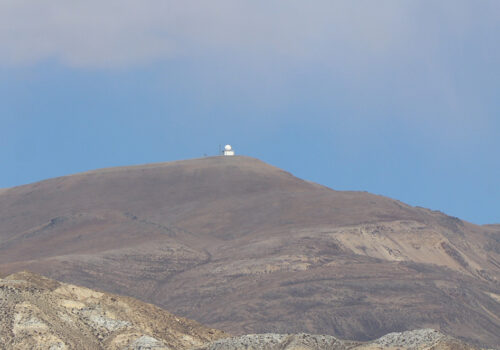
(40,313)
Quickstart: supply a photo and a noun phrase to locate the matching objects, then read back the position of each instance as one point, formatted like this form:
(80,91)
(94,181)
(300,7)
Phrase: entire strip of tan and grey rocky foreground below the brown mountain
(40,313)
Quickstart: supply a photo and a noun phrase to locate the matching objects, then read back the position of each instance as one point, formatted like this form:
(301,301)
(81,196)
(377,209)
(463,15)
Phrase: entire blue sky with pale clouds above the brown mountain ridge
(398,98)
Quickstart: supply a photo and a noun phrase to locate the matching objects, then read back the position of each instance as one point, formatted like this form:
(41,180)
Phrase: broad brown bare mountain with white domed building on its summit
(242,246)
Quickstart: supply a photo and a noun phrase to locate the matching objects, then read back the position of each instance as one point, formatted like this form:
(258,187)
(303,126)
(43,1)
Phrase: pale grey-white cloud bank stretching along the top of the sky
(118,33)
